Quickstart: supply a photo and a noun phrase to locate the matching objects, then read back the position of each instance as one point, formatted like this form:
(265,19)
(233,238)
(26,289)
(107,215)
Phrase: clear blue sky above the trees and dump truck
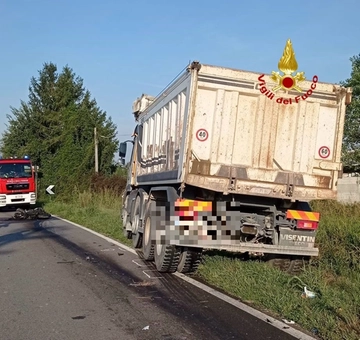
(122,49)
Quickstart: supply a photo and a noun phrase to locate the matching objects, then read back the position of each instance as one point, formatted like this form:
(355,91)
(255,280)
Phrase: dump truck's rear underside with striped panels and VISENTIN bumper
(221,226)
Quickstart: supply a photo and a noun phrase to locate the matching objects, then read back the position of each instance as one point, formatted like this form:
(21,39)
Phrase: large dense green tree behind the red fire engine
(55,127)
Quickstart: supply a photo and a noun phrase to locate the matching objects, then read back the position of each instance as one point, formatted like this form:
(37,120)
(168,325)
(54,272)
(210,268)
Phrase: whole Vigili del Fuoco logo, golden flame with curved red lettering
(287,79)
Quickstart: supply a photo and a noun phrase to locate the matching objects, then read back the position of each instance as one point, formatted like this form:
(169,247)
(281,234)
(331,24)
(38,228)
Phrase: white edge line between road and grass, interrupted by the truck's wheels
(252,311)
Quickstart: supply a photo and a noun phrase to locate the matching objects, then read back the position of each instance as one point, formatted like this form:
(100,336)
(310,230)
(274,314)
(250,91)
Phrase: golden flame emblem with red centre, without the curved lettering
(288,65)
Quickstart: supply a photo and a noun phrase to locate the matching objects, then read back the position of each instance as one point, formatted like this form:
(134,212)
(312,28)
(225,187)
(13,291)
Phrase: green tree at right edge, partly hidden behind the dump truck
(351,141)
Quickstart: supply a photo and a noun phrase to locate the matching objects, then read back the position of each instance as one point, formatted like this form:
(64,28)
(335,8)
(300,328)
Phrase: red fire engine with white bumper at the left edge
(17,182)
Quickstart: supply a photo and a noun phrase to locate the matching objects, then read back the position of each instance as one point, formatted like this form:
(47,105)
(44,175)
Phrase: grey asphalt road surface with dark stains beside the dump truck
(60,282)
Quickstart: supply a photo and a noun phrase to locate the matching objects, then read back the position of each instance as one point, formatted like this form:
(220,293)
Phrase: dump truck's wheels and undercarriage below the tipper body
(257,227)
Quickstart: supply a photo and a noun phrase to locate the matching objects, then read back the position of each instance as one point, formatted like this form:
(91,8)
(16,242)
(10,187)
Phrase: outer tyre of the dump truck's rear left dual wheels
(166,258)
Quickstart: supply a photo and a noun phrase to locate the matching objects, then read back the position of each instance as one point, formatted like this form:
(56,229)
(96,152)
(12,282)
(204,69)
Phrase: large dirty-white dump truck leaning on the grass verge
(229,160)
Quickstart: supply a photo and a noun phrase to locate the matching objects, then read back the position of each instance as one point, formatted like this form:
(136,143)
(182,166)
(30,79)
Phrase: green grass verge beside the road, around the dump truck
(334,276)
